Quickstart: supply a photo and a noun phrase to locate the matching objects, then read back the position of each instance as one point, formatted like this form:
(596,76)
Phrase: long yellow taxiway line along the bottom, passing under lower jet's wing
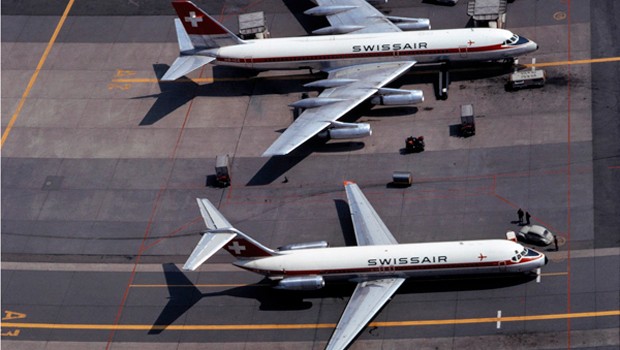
(237,327)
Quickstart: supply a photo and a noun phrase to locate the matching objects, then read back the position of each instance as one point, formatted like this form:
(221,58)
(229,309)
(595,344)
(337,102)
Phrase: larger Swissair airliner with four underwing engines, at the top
(362,51)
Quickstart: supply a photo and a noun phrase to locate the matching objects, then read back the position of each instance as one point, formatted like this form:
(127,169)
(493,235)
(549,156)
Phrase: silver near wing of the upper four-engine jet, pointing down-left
(362,82)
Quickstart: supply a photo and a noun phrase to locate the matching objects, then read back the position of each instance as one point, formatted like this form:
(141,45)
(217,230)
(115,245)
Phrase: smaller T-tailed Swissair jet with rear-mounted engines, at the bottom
(378,264)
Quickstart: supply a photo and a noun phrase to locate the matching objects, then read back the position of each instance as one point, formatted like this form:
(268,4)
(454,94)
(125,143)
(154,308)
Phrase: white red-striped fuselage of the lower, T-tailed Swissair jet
(403,260)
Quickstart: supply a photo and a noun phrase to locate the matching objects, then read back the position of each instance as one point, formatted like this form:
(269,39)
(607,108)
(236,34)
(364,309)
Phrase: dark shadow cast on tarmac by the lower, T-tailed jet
(184,294)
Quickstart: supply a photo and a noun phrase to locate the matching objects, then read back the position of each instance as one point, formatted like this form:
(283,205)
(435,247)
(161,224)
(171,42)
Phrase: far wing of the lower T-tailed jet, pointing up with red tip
(368,226)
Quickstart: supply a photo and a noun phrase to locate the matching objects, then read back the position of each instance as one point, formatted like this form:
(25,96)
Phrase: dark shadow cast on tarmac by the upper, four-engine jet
(176,94)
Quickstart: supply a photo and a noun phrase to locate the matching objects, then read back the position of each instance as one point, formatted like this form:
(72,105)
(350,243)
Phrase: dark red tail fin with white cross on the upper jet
(203,30)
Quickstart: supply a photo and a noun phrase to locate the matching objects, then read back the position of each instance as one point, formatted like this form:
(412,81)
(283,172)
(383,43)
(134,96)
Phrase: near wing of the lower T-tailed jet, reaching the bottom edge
(367,299)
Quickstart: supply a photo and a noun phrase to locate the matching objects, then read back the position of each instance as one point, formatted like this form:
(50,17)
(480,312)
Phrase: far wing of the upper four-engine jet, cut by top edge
(363,15)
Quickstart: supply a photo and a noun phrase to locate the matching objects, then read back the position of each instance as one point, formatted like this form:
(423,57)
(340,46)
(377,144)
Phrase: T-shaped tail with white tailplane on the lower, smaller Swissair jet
(221,234)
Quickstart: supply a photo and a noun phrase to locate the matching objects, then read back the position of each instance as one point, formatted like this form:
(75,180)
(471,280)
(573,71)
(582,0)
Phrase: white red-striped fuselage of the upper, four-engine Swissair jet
(333,51)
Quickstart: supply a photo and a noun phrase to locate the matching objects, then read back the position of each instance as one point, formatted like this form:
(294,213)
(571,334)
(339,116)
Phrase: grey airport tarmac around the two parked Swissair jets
(101,166)
